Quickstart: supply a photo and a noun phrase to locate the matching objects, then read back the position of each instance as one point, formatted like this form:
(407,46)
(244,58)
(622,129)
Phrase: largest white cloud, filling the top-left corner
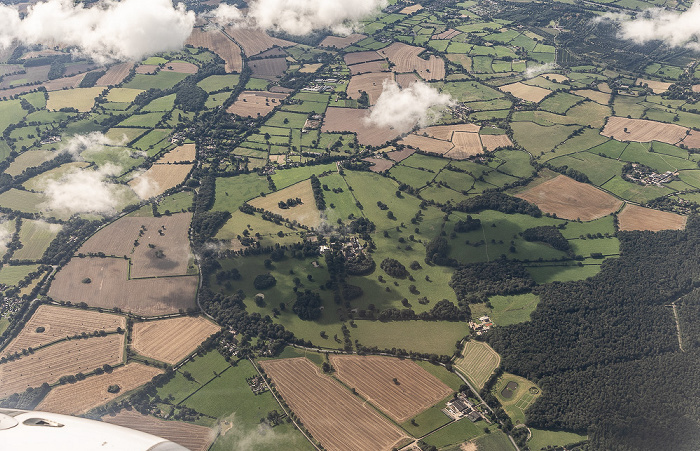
(107,31)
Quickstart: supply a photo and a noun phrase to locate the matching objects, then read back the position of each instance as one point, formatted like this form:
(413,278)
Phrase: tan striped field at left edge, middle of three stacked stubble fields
(61,359)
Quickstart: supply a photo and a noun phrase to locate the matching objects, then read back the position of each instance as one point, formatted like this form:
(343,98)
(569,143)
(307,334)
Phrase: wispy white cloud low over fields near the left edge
(85,191)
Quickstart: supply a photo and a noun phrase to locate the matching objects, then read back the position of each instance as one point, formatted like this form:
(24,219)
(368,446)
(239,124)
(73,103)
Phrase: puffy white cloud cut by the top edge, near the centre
(300,17)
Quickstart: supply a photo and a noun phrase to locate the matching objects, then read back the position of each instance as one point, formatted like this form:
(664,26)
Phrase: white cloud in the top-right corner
(674,28)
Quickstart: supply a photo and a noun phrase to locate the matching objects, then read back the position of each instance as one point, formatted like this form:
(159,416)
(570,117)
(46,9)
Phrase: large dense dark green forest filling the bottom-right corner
(605,350)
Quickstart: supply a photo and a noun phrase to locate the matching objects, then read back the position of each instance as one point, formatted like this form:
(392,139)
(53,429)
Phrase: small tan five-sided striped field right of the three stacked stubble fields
(171,340)
